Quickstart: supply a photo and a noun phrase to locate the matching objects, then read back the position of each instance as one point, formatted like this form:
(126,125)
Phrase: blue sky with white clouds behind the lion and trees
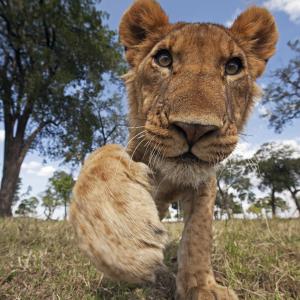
(287,14)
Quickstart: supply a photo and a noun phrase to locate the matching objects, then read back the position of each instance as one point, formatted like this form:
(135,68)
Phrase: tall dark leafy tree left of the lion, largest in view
(53,58)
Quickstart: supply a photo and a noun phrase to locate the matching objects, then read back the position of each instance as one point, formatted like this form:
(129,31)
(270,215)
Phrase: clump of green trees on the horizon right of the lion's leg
(273,169)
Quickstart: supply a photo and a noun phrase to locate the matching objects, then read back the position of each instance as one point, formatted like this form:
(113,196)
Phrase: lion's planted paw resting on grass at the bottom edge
(213,293)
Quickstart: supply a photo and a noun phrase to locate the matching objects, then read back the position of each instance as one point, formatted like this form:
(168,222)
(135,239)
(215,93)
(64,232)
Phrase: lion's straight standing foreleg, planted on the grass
(195,279)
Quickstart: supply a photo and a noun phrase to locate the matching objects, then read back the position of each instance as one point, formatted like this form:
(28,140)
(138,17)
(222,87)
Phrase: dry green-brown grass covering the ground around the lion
(40,260)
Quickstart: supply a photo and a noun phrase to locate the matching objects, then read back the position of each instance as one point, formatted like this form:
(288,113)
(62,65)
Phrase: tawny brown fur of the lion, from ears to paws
(113,211)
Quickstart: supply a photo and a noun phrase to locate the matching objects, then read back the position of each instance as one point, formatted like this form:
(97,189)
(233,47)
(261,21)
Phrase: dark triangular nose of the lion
(194,132)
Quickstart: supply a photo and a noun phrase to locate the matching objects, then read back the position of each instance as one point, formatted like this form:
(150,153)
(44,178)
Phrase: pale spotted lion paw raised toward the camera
(115,217)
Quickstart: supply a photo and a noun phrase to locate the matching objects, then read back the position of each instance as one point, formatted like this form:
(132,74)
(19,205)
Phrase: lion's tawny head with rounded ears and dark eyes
(191,85)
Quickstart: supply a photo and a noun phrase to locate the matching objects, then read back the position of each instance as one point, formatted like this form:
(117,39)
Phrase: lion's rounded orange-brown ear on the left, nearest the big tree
(143,20)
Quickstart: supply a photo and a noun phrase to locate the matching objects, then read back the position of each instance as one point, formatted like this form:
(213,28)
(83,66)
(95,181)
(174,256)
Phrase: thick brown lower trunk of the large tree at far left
(11,170)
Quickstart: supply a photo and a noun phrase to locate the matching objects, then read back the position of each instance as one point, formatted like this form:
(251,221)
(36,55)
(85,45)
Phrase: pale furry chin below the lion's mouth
(186,171)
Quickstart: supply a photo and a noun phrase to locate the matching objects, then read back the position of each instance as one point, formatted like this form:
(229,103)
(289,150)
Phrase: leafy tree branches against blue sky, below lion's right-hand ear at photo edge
(282,96)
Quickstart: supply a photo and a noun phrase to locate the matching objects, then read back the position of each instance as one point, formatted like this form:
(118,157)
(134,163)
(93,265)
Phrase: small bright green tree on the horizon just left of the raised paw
(60,189)
